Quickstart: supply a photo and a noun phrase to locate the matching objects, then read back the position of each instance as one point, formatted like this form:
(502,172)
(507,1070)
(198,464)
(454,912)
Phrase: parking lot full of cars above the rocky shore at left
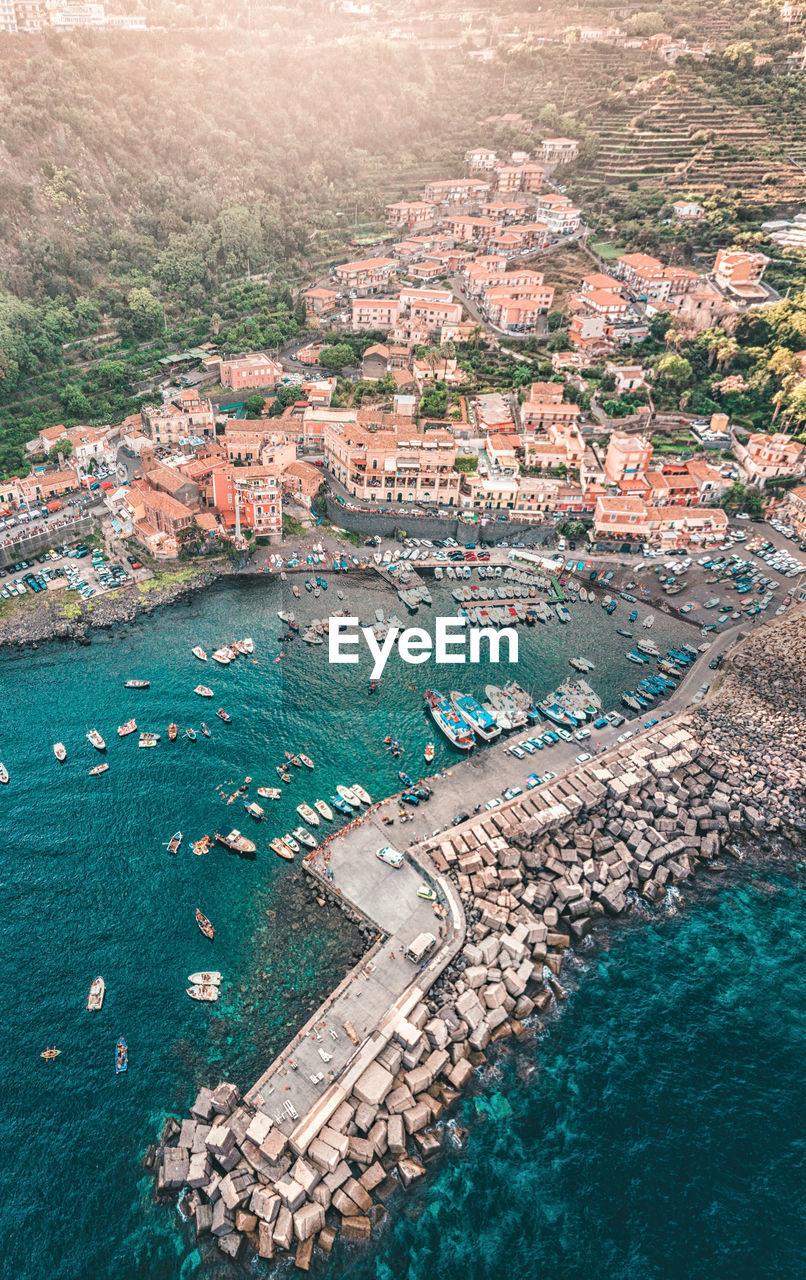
(81,570)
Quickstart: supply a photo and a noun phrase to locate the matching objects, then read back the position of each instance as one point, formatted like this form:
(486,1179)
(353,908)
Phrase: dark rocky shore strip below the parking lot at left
(48,621)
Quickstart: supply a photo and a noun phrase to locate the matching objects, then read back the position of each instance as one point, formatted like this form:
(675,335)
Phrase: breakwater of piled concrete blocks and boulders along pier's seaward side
(535,880)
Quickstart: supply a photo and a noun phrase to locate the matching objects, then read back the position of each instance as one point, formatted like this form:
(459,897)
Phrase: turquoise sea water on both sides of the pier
(91,890)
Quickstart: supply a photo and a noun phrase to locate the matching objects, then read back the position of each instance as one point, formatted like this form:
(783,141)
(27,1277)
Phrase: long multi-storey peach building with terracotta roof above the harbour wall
(397,465)
